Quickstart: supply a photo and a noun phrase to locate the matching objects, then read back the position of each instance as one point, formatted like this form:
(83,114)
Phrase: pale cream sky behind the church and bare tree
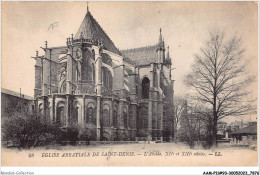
(185,28)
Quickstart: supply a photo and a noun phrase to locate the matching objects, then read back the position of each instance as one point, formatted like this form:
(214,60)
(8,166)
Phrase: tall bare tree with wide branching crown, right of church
(219,78)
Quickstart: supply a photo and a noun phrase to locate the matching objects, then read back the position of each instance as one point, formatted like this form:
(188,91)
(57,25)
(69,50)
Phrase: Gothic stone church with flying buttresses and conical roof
(120,94)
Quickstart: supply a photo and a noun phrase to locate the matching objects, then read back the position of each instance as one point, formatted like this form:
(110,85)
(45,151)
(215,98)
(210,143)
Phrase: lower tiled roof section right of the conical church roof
(140,56)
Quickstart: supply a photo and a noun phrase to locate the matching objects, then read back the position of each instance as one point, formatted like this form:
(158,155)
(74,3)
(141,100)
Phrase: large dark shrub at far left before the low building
(25,130)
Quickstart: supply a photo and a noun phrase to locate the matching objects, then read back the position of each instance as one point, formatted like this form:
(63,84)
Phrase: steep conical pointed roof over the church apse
(90,29)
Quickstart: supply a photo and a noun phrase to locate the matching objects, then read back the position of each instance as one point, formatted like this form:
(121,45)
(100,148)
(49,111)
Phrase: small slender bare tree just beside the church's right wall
(178,108)
